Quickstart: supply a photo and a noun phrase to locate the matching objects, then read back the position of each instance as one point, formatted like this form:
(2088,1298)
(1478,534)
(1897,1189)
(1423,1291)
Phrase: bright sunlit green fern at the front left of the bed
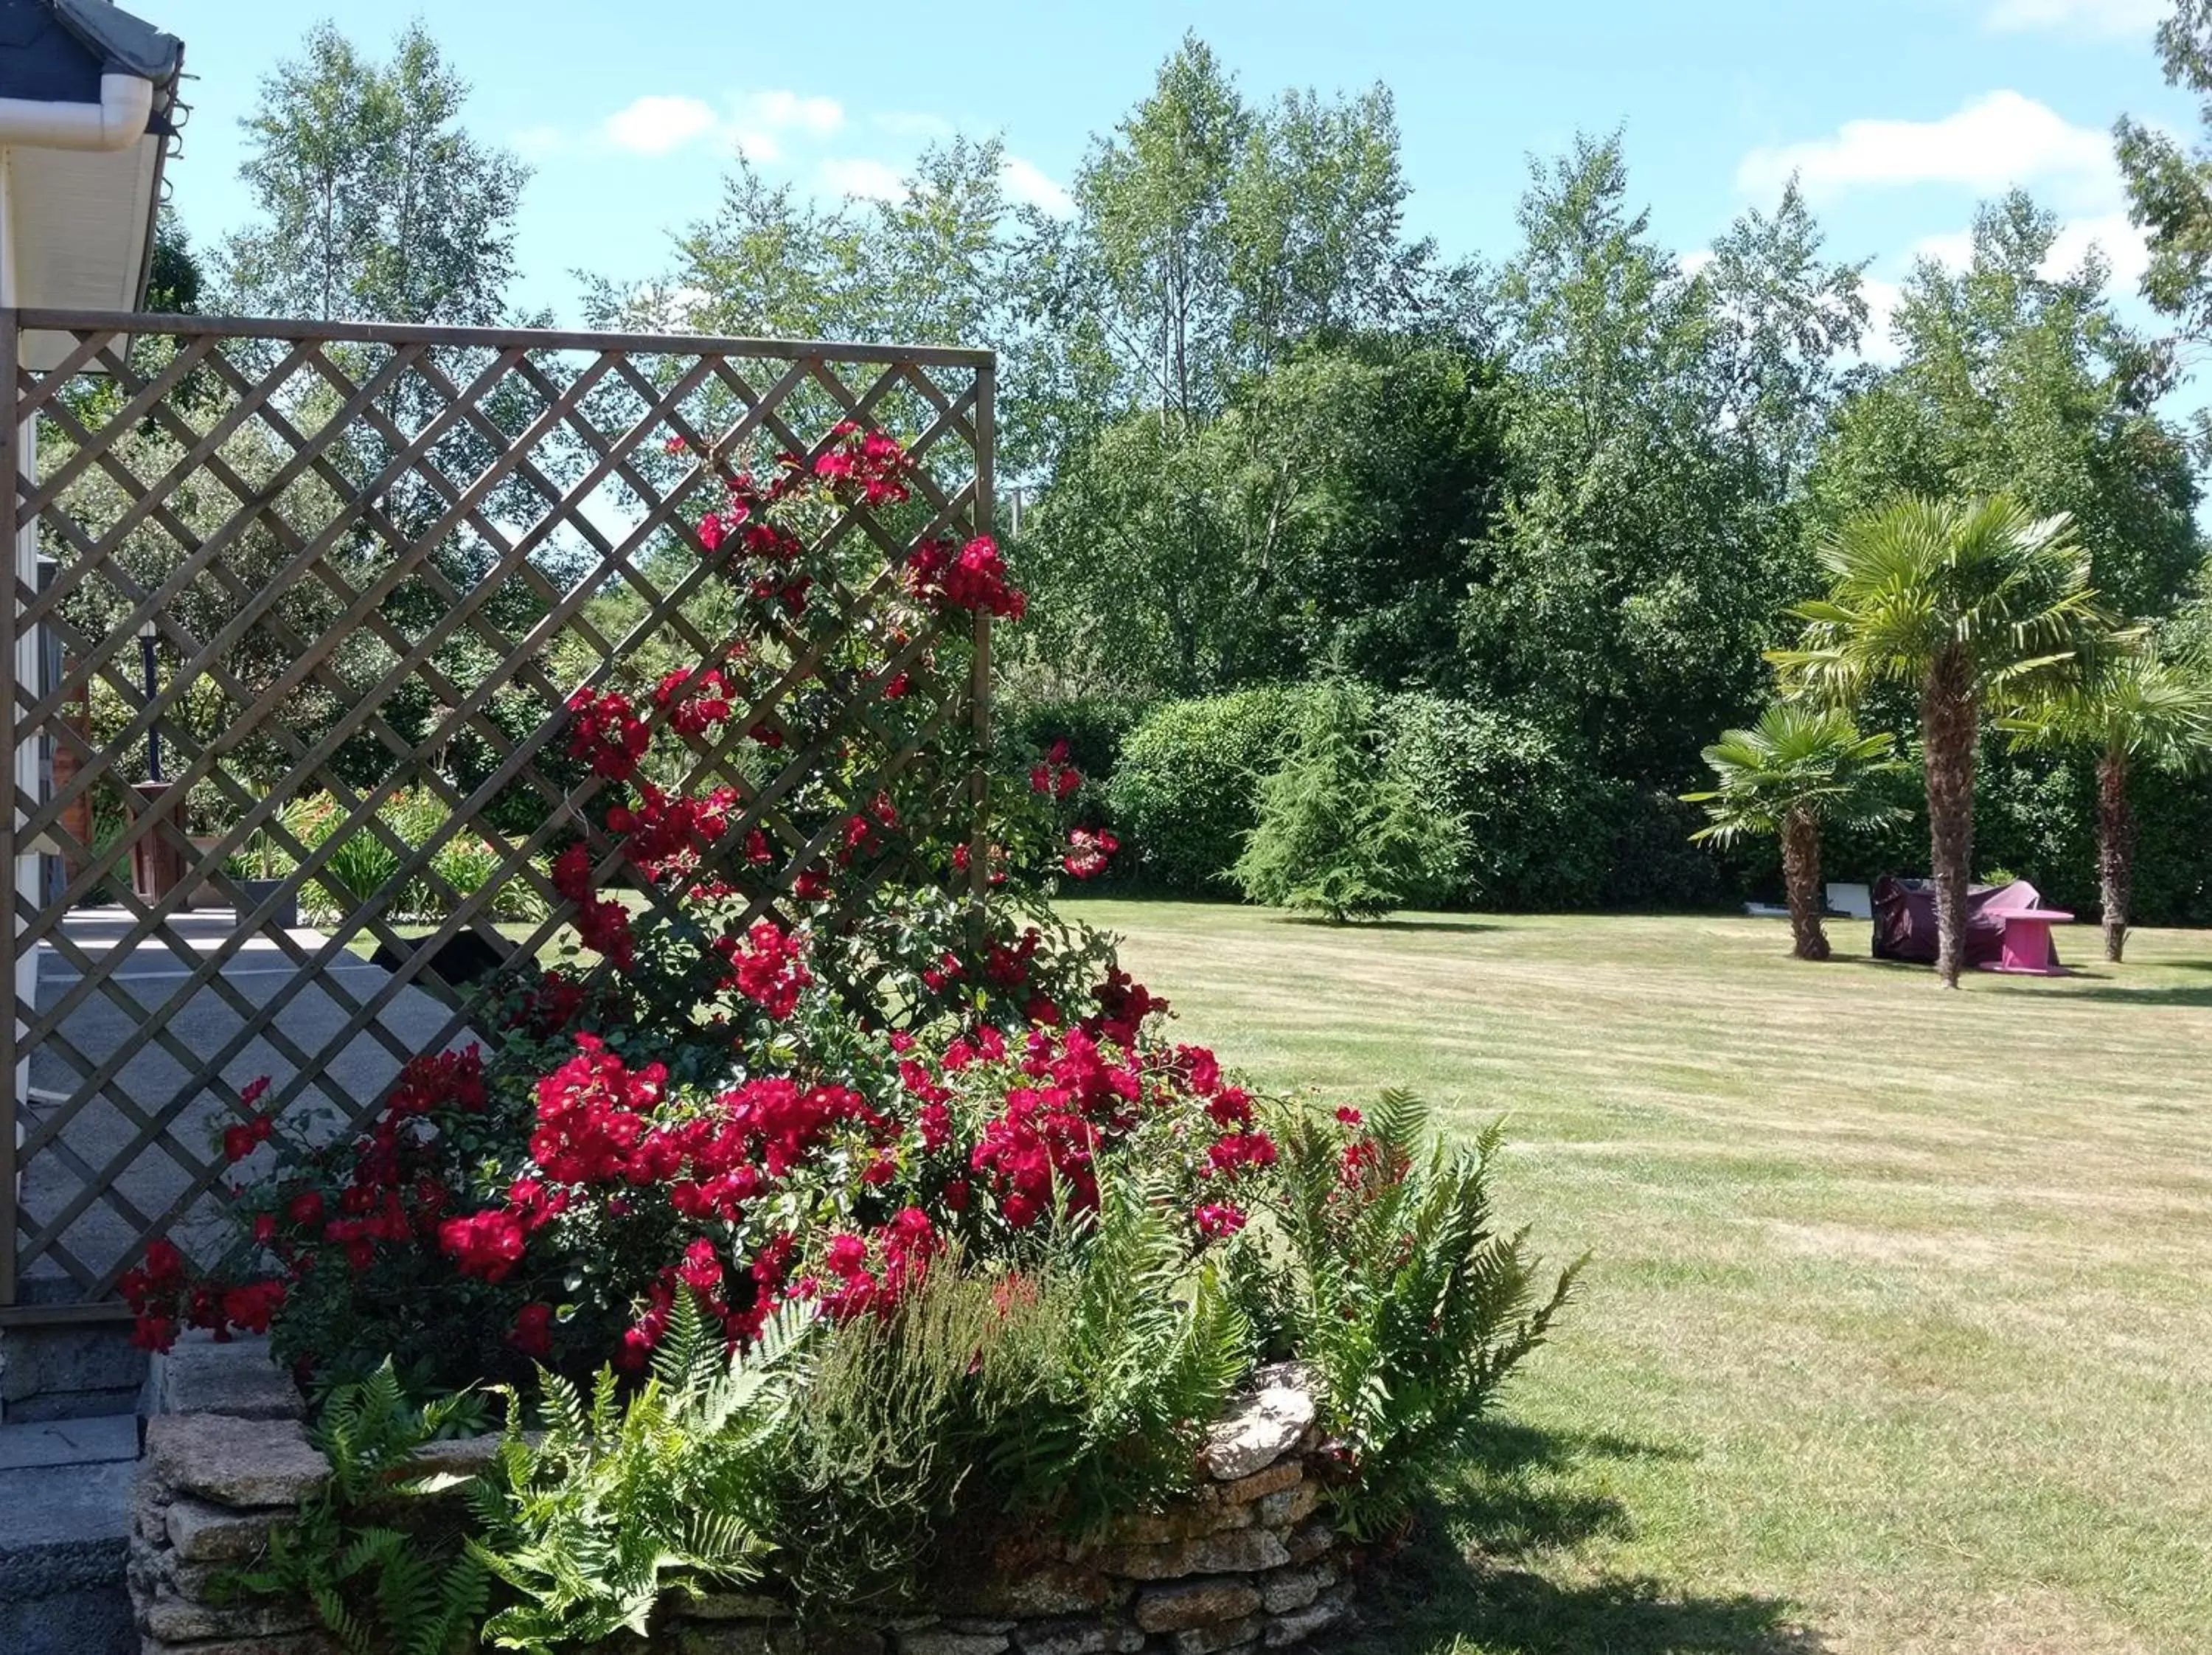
(625,1501)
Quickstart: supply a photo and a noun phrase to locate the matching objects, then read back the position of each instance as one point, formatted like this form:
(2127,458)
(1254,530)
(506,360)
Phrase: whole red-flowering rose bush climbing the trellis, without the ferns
(753,1105)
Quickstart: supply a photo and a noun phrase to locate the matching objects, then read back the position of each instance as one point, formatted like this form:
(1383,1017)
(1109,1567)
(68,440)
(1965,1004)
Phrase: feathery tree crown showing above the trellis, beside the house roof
(375,200)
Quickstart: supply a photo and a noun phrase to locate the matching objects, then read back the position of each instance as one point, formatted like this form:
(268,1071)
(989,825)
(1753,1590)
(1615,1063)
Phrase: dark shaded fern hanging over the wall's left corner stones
(397,1590)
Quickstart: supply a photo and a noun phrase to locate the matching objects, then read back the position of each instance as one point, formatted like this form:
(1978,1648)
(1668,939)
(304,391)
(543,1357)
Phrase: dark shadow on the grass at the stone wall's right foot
(1474,1574)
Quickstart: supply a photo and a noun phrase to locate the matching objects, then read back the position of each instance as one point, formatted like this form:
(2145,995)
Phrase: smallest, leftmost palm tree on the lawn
(1793,771)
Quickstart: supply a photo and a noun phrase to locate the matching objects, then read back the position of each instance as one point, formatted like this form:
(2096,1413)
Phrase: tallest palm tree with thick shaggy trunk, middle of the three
(1970,603)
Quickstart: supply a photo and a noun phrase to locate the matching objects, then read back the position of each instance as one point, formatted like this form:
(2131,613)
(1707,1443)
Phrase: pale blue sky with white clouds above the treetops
(1899,114)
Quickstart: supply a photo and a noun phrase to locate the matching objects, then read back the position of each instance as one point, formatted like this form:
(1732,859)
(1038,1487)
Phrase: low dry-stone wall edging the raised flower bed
(1242,1565)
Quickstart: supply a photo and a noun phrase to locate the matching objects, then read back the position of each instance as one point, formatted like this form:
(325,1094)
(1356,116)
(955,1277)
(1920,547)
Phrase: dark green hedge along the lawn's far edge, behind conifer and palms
(1547,833)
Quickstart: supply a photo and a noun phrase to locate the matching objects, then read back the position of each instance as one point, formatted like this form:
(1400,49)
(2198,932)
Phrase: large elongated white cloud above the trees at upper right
(1990,145)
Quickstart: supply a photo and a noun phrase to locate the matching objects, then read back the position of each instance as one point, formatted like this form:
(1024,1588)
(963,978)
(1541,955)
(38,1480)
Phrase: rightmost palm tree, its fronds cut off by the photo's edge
(2129,709)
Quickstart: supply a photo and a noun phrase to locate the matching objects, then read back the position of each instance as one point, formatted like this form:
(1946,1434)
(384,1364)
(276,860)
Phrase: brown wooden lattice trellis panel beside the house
(375,565)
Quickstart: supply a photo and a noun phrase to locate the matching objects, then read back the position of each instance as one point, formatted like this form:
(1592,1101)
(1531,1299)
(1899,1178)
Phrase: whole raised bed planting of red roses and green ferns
(822,1229)
